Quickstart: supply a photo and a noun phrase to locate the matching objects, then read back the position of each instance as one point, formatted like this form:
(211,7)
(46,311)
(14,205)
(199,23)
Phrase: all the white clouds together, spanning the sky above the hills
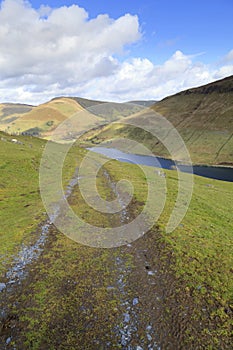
(49,52)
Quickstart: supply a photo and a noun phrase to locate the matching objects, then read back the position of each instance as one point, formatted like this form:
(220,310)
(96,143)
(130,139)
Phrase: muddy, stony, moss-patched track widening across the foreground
(78,297)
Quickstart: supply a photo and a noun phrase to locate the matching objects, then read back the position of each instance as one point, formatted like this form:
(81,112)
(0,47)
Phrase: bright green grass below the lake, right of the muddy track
(203,243)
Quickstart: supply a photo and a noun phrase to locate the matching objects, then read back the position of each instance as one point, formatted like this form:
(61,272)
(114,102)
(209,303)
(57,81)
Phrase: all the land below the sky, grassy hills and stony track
(163,290)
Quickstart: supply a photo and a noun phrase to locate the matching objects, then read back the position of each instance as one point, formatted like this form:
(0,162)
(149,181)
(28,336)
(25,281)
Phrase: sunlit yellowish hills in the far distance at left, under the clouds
(41,121)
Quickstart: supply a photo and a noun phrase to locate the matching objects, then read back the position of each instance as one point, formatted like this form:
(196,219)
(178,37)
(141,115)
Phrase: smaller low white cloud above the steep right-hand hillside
(141,79)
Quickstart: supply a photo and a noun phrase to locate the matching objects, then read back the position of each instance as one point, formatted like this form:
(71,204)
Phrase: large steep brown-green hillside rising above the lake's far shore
(203,116)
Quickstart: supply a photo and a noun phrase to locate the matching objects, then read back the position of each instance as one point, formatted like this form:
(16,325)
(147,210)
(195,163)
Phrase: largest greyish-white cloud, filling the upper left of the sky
(59,45)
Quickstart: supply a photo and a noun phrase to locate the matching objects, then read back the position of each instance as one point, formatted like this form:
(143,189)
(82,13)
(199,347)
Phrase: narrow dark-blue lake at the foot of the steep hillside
(219,173)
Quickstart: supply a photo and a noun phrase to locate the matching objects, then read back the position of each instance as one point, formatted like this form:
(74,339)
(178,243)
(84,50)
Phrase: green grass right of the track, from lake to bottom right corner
(201,247)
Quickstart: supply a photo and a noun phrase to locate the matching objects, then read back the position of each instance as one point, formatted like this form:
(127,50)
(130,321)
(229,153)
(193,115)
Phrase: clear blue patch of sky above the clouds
(195,26)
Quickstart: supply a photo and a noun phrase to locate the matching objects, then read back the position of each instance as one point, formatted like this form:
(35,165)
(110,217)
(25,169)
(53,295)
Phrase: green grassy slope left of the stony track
(21,207)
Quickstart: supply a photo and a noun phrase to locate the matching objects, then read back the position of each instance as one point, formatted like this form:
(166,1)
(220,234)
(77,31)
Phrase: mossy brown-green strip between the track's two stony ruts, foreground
(70,301)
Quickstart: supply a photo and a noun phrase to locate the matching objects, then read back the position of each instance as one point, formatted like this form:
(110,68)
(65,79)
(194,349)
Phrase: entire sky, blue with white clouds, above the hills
(159,48)
